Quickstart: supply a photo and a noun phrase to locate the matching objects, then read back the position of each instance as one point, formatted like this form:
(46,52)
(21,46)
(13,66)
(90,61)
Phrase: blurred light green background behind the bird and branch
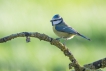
(86,16)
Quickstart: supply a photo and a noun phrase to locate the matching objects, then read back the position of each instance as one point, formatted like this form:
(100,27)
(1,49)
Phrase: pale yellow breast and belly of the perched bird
(62,34)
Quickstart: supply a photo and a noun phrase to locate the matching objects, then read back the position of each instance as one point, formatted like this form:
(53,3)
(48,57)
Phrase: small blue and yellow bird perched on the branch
(62,30)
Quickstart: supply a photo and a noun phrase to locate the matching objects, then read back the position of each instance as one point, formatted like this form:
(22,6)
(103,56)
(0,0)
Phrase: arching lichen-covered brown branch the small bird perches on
(89,67)
